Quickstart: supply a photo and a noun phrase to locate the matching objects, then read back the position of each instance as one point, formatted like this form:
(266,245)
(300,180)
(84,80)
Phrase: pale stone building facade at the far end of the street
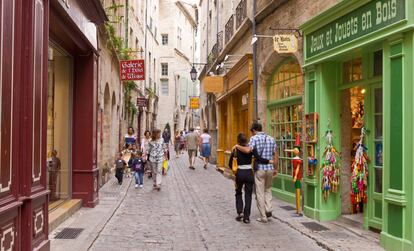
(178,25)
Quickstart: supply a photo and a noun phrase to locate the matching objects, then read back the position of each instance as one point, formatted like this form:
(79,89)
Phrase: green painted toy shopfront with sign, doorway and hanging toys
(358,140)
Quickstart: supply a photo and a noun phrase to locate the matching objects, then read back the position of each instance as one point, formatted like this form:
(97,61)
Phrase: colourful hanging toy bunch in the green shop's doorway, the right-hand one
(359,178)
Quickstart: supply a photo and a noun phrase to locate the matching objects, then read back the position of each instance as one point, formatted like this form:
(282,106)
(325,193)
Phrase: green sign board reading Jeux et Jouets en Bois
(364,20)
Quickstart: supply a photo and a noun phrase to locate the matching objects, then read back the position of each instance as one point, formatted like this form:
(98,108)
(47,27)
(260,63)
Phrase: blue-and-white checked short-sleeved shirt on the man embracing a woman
(265,146)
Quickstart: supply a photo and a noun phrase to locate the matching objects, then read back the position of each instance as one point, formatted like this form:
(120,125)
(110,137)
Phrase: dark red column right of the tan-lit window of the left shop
(85,171)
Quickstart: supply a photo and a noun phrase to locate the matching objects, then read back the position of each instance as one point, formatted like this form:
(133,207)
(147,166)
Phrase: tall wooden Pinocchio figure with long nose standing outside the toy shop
(297,172)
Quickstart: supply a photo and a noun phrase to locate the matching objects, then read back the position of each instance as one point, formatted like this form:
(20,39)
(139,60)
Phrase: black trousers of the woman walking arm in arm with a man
(244,178)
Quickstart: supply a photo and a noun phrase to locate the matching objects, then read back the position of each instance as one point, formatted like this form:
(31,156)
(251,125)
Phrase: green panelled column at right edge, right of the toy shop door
(397,232)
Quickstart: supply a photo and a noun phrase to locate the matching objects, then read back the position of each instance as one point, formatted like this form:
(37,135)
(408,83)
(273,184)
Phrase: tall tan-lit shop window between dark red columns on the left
(58,125)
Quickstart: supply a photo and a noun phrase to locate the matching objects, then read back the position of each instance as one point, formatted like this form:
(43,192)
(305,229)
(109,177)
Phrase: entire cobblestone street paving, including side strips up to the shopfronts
(195,211)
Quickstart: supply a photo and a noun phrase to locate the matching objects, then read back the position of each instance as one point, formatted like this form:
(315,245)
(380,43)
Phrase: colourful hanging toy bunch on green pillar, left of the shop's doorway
(331,171)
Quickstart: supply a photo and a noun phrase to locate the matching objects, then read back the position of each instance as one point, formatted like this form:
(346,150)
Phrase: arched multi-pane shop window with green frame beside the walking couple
(285,109)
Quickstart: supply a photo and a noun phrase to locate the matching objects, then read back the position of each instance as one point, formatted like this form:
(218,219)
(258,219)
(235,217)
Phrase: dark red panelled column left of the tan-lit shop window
(31,112)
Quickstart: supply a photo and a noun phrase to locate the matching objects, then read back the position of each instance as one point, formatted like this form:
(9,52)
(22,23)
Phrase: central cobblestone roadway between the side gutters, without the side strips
(193,211)
